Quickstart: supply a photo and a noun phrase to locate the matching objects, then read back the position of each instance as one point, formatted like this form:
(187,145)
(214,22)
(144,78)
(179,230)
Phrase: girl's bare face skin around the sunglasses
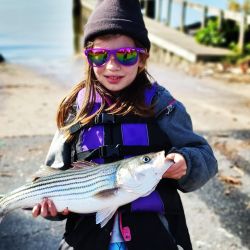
(113,75)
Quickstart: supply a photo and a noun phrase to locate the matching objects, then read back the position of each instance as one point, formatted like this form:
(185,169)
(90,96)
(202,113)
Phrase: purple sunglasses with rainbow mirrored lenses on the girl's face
(97,57)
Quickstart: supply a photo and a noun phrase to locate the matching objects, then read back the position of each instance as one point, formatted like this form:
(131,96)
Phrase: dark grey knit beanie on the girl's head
(117,17)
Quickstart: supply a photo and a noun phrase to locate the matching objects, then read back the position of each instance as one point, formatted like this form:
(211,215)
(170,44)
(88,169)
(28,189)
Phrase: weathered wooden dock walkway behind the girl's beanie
(167,40)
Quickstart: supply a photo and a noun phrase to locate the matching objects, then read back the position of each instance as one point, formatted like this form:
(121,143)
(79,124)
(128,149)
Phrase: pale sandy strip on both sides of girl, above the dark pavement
(30,96)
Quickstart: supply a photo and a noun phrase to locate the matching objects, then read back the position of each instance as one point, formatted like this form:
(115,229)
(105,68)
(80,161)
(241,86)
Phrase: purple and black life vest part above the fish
(114,137)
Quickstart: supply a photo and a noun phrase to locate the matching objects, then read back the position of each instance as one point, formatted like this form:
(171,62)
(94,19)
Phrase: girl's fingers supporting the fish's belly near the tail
(47,208)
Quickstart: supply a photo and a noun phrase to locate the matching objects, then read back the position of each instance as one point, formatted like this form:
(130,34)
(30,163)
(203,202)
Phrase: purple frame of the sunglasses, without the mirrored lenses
(113,52)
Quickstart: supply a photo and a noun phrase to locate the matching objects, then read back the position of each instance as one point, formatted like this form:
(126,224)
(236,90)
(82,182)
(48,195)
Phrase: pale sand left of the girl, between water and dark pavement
(28,102)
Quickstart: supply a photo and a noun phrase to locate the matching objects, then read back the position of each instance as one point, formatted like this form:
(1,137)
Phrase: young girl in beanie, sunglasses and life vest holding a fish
(117,112)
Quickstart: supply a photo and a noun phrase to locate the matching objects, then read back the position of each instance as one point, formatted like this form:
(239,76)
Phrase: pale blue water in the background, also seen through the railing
(40,33)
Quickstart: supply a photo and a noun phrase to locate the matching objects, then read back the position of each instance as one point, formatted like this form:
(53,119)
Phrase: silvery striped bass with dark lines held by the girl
(88,189)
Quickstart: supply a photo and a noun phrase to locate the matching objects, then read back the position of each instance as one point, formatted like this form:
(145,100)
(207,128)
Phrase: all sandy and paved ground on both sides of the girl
(28,107)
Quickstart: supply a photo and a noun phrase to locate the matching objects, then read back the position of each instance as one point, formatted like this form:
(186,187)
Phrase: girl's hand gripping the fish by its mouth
(178,169)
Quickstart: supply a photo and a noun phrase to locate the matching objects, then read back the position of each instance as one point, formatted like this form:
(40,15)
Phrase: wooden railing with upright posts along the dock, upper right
(242,19)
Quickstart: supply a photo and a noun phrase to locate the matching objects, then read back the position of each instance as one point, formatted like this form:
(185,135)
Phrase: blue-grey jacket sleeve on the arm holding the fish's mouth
(177,124)
